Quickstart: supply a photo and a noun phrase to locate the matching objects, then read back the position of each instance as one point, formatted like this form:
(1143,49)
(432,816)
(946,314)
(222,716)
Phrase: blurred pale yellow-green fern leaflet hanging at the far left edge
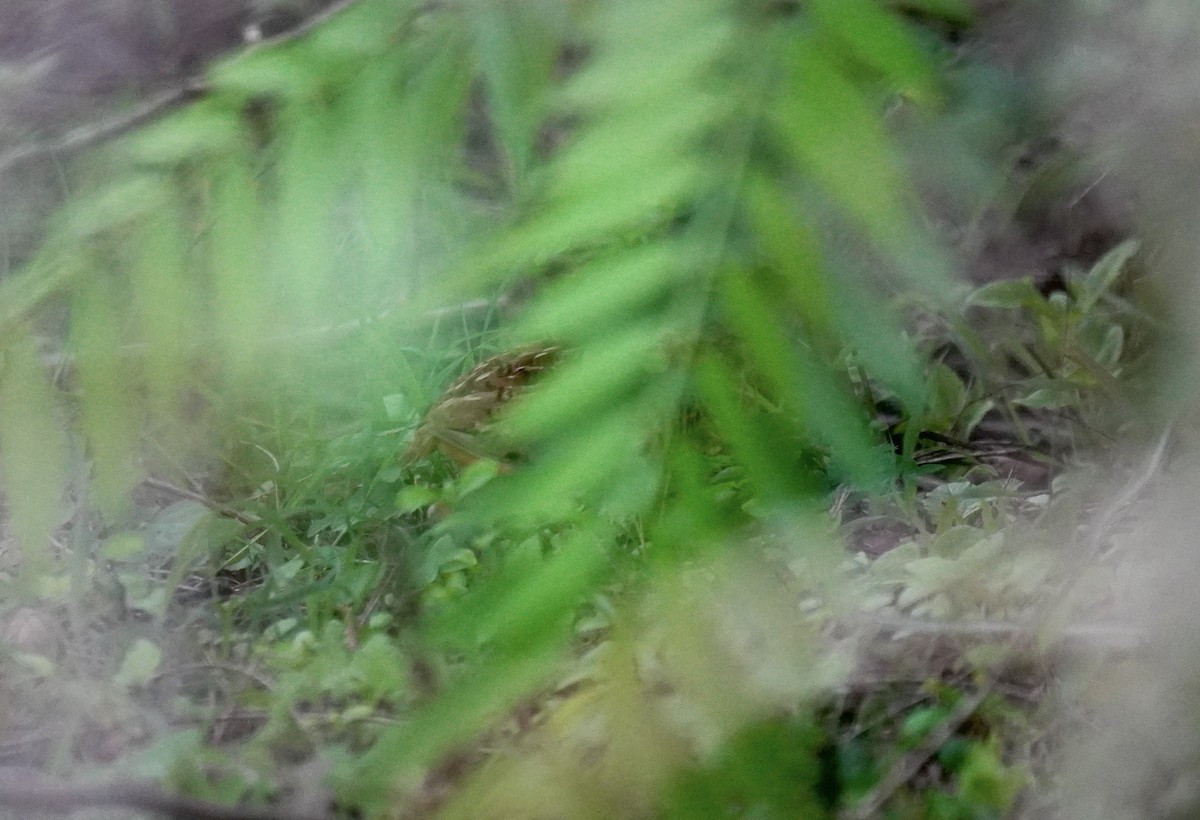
(34,453)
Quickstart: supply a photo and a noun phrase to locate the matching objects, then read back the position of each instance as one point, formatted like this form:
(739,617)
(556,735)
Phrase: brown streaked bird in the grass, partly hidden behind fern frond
(458,424)
